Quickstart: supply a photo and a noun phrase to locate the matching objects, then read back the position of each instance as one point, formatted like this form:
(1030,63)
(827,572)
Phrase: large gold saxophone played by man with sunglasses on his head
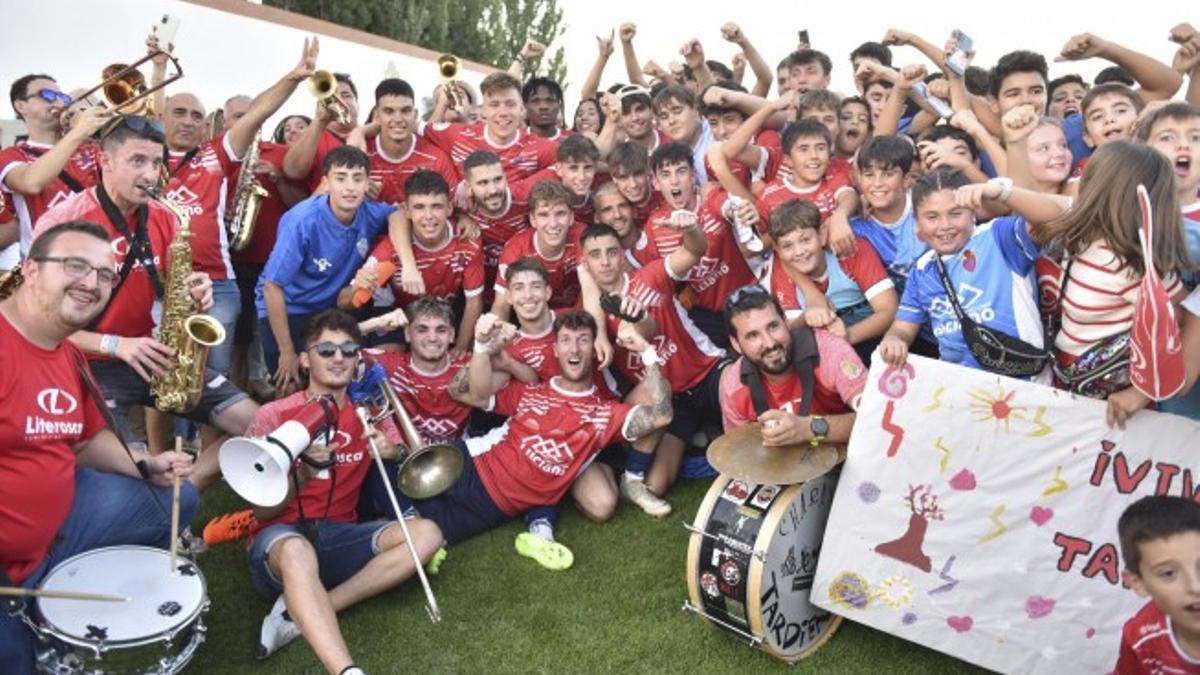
(190,334)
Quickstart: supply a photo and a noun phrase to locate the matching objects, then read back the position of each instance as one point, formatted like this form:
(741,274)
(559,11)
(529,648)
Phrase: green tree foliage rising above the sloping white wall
(488,32)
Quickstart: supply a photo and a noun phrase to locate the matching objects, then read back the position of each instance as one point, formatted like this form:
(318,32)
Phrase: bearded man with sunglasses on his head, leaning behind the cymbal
(802,386)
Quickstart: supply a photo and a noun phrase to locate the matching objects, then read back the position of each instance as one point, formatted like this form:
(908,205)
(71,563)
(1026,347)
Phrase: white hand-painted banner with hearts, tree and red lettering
(977,516)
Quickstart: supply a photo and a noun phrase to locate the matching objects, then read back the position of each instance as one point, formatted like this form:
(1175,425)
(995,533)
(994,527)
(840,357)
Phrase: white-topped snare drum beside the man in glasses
(157,631)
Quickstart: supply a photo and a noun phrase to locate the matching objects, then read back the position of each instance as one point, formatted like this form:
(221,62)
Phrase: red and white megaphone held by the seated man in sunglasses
(259,469)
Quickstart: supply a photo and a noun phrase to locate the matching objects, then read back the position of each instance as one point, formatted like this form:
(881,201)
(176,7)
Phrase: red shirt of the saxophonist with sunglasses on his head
(129,310)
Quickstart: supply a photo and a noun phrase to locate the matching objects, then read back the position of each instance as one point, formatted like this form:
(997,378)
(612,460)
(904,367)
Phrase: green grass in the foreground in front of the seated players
(617,611)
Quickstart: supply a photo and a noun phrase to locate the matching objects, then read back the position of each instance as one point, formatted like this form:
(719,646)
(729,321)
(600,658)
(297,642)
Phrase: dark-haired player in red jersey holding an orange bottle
(448,265)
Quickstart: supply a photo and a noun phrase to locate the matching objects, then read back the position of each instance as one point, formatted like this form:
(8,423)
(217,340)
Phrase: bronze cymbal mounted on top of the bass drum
(741,455)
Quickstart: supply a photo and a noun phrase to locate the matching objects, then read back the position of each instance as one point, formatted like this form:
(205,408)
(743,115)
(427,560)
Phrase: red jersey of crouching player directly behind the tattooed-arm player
(687,355)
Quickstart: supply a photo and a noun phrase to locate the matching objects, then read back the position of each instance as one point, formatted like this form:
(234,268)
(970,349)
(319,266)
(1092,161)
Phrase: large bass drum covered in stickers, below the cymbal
(752,559)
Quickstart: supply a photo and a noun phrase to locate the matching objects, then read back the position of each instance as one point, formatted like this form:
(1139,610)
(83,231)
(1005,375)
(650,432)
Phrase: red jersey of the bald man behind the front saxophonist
(197,186)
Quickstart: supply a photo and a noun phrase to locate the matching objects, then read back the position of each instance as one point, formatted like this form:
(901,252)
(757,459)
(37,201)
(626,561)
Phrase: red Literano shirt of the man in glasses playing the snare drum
(47,413)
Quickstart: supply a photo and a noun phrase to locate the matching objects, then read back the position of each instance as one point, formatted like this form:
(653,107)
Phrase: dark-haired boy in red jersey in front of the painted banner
(1161,548)
